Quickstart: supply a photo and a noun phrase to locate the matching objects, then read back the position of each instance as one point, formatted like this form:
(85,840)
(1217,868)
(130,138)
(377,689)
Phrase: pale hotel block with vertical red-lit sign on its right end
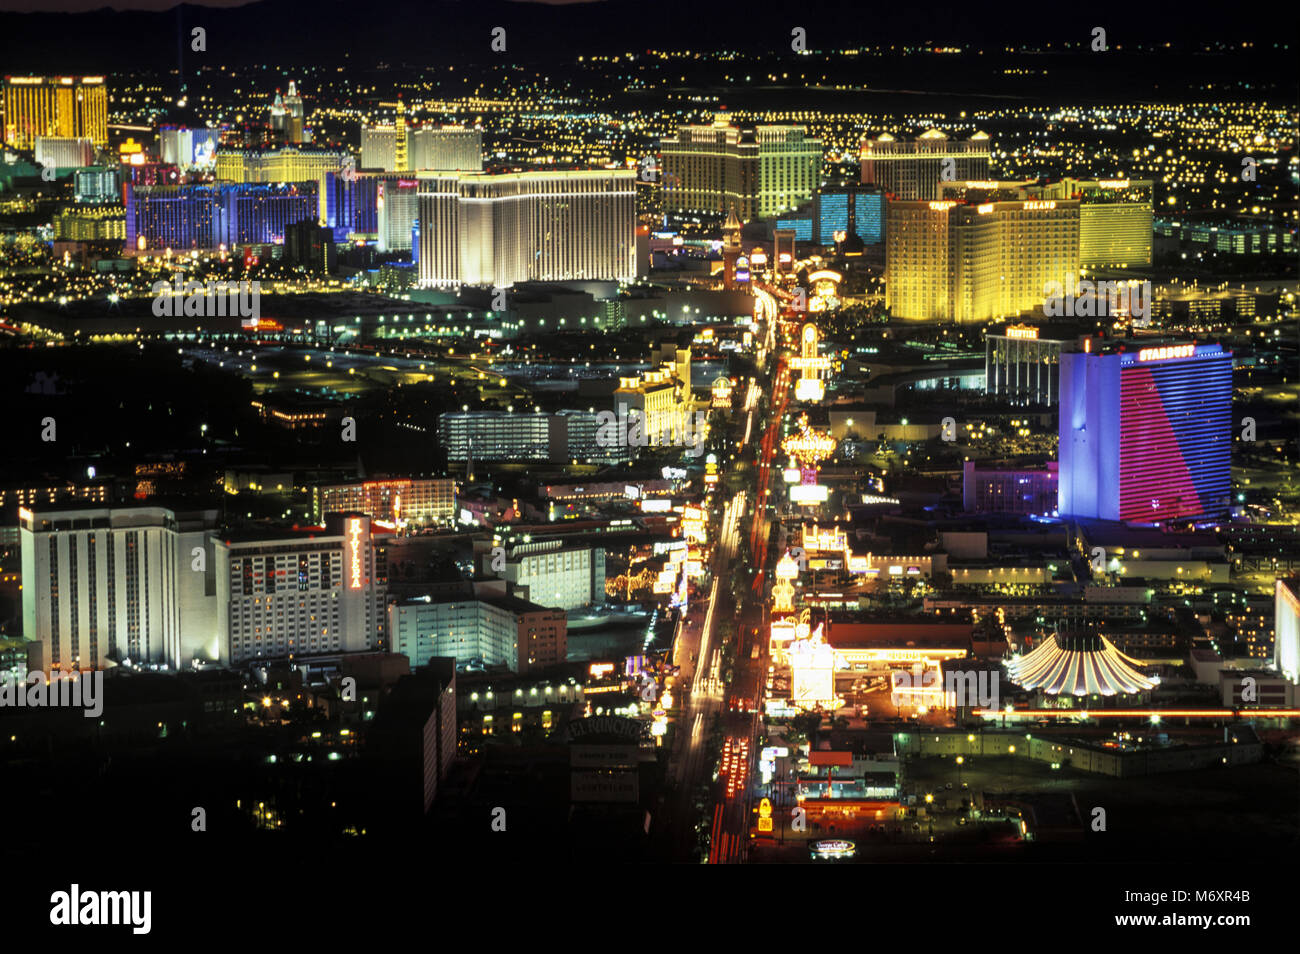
(302,595)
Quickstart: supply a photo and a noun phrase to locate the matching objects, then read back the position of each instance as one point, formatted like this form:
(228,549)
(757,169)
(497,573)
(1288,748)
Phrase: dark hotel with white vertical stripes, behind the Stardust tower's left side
(1022,363)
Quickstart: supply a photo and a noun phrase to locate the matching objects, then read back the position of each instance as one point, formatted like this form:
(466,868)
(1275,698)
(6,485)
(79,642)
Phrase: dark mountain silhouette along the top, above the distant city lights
(437,32)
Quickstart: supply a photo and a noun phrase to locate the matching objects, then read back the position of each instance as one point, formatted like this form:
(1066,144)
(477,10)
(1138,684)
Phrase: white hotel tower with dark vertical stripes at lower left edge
(107,586)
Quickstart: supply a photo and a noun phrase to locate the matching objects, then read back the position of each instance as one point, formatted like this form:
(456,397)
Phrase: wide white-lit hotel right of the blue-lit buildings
(536,227)
